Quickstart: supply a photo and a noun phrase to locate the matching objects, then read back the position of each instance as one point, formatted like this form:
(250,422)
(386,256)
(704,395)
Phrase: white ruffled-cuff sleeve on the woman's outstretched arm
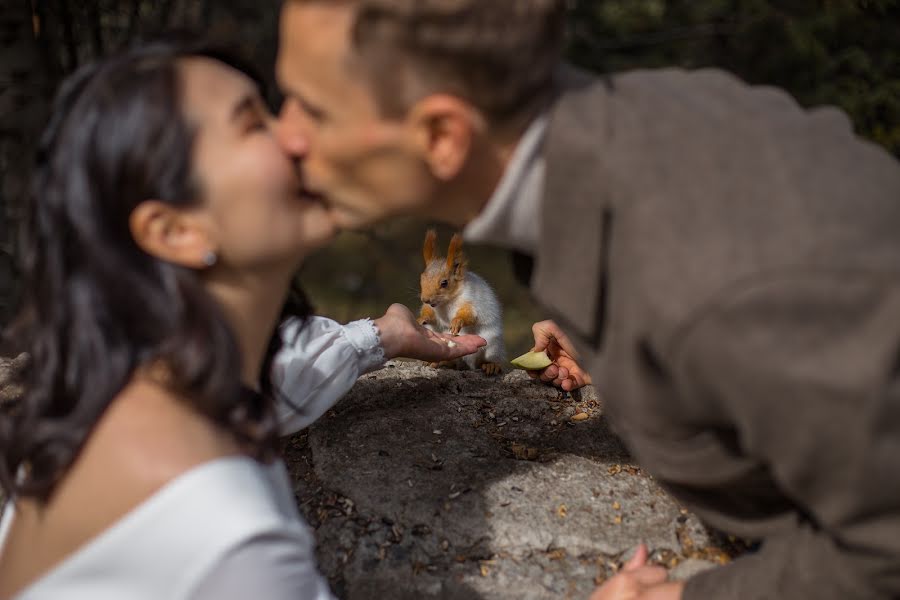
(319,362)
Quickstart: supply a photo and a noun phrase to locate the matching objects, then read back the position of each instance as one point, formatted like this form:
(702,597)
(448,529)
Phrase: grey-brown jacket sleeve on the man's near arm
(806,372)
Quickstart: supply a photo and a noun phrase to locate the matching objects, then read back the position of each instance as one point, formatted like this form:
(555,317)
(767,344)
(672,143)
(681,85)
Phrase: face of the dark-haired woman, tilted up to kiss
(251,193)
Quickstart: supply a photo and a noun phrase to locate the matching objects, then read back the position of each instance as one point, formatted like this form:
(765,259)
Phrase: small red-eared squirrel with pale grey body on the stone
(458,301)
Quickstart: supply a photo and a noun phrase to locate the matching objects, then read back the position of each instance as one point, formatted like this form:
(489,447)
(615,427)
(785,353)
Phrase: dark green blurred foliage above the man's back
(843,52)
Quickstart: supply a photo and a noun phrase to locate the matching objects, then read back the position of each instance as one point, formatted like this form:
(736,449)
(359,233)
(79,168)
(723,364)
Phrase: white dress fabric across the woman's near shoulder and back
(228,529)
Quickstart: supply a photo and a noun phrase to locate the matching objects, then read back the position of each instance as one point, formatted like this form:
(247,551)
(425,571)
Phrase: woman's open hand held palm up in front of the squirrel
(402,336)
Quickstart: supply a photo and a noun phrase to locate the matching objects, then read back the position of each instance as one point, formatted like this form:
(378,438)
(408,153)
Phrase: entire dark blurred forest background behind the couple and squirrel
(843,52)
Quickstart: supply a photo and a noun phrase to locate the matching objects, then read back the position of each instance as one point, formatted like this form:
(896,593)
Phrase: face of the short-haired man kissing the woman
(367,167)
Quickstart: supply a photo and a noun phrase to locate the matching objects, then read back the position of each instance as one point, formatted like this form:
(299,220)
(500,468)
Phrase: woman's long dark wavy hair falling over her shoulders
(95,307)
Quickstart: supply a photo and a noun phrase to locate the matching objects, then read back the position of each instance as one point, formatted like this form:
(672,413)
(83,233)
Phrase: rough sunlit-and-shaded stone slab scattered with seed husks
(433,483)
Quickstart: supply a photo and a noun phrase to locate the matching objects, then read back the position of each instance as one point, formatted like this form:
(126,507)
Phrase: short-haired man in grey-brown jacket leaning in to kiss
(726,263)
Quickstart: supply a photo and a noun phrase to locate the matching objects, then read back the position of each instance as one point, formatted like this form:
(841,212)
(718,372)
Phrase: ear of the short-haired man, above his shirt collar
(445,127)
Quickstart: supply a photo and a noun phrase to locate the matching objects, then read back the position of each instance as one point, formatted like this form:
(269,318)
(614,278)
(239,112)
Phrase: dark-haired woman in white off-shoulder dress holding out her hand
(166,226)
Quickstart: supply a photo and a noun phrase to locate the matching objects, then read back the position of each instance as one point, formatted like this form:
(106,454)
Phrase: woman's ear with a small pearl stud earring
(170,234)
